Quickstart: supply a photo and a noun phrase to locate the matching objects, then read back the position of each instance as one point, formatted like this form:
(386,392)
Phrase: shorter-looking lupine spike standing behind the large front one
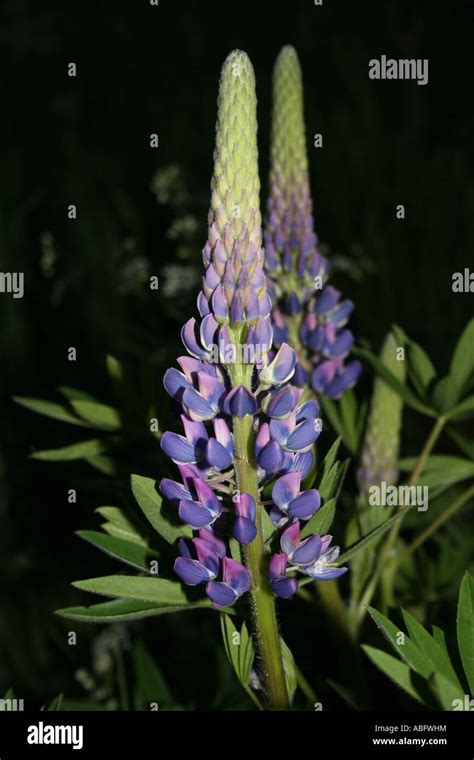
(307,312)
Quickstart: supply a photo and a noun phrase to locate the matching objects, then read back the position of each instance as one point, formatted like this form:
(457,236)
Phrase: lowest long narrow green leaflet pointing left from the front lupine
(122,611)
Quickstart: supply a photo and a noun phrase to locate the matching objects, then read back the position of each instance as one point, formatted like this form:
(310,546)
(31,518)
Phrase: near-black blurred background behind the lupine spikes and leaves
(85,140)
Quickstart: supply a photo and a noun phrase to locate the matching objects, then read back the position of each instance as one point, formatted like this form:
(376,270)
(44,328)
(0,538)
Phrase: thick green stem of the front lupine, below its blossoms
(263,602)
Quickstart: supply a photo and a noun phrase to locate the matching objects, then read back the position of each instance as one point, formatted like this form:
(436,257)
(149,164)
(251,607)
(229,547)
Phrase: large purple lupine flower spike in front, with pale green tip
(229,382)
